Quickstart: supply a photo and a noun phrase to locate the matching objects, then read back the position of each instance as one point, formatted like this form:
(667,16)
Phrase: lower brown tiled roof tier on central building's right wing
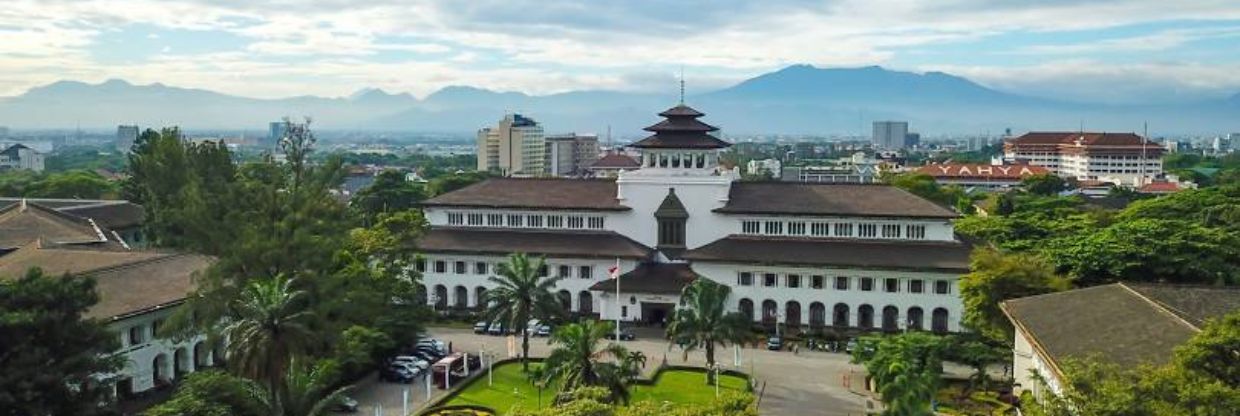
(843,253)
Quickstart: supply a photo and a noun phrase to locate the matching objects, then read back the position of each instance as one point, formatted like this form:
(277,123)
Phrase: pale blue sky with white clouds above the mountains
(1092,50)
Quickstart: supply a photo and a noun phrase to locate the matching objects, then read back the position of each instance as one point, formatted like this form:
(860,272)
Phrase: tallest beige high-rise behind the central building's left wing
(514,147)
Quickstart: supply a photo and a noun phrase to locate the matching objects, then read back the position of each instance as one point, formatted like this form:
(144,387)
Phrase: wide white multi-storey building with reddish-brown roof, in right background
(1119,158)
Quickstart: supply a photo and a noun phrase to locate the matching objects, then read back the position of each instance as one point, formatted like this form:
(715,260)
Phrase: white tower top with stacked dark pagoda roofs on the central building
(681,143)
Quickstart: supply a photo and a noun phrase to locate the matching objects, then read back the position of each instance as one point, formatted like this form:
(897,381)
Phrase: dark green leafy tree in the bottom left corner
(53,357)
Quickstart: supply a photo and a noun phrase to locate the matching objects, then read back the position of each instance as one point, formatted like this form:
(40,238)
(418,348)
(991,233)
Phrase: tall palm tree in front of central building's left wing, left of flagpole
(521,294)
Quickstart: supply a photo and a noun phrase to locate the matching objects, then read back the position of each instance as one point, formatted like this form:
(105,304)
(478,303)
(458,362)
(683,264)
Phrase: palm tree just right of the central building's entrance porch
(704,321)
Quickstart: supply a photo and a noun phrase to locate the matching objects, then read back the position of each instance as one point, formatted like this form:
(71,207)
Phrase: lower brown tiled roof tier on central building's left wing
(551,244)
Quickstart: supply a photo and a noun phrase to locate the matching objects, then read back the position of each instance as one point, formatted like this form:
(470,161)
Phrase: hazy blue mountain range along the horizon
(797,100)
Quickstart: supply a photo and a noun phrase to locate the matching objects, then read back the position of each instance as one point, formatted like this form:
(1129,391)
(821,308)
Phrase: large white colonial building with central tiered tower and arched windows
(802,255)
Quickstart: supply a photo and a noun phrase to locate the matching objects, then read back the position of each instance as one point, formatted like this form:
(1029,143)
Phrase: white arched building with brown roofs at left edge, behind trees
(138,289)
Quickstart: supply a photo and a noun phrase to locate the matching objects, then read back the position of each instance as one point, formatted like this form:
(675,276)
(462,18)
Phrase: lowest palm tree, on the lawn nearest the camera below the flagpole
(577,359)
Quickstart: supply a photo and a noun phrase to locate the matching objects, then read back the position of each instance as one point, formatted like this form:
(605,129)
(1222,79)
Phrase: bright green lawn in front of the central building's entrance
(513,391)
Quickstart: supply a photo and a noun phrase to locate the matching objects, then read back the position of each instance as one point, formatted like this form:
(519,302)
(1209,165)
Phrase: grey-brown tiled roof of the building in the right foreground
(1114,322)
